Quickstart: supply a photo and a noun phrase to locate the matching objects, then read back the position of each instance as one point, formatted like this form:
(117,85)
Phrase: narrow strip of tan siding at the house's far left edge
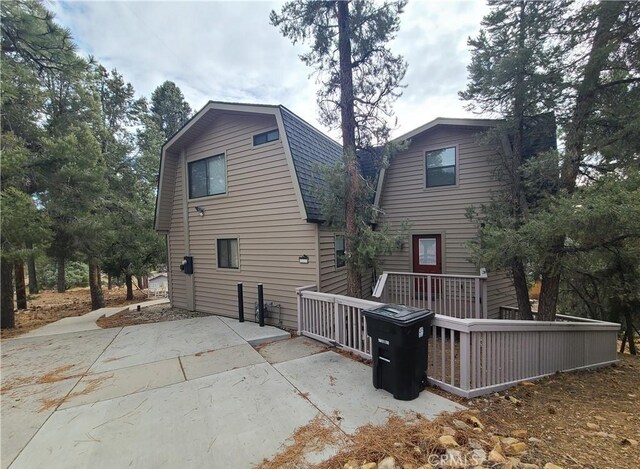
(177,279)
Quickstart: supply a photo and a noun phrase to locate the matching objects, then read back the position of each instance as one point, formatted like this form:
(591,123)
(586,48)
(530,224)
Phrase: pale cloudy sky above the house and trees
(228,51)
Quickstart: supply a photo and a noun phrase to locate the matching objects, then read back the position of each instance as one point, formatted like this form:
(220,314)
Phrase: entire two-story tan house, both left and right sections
(236,201)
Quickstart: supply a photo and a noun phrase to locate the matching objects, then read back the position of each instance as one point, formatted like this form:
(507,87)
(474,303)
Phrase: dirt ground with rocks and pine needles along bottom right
(587,419)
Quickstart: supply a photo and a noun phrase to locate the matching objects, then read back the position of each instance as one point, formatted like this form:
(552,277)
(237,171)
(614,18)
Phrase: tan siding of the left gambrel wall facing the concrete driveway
(260,209)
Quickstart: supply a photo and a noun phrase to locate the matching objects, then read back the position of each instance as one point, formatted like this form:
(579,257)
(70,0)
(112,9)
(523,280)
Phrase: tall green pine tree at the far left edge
(33,46)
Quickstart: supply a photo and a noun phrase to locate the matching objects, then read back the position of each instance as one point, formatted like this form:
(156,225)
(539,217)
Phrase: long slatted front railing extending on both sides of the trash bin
(470,357)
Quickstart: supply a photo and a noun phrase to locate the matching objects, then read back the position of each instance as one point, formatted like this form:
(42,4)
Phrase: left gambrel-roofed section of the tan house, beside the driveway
(236,199)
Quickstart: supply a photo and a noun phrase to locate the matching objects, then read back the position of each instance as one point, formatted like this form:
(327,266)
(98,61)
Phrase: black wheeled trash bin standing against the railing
(399,337)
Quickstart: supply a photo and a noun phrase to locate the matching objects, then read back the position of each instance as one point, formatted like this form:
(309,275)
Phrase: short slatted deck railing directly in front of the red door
(458,296)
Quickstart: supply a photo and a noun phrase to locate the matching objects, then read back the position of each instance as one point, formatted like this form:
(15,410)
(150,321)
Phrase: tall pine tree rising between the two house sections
(360,79)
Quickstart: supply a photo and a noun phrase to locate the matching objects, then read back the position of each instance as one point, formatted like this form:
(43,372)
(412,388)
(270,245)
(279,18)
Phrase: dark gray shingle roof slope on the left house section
(309,148)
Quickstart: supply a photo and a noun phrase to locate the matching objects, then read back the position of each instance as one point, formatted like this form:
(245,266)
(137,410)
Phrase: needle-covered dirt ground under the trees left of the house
(50,306)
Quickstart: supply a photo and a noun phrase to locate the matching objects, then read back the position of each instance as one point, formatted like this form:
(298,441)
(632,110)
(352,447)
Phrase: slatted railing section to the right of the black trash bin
(471,357)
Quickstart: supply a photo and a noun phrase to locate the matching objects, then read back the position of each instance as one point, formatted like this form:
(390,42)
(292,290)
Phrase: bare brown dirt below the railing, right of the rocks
(588,419)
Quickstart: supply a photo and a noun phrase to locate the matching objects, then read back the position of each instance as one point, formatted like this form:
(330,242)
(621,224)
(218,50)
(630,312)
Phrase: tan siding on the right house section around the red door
(440,210)
